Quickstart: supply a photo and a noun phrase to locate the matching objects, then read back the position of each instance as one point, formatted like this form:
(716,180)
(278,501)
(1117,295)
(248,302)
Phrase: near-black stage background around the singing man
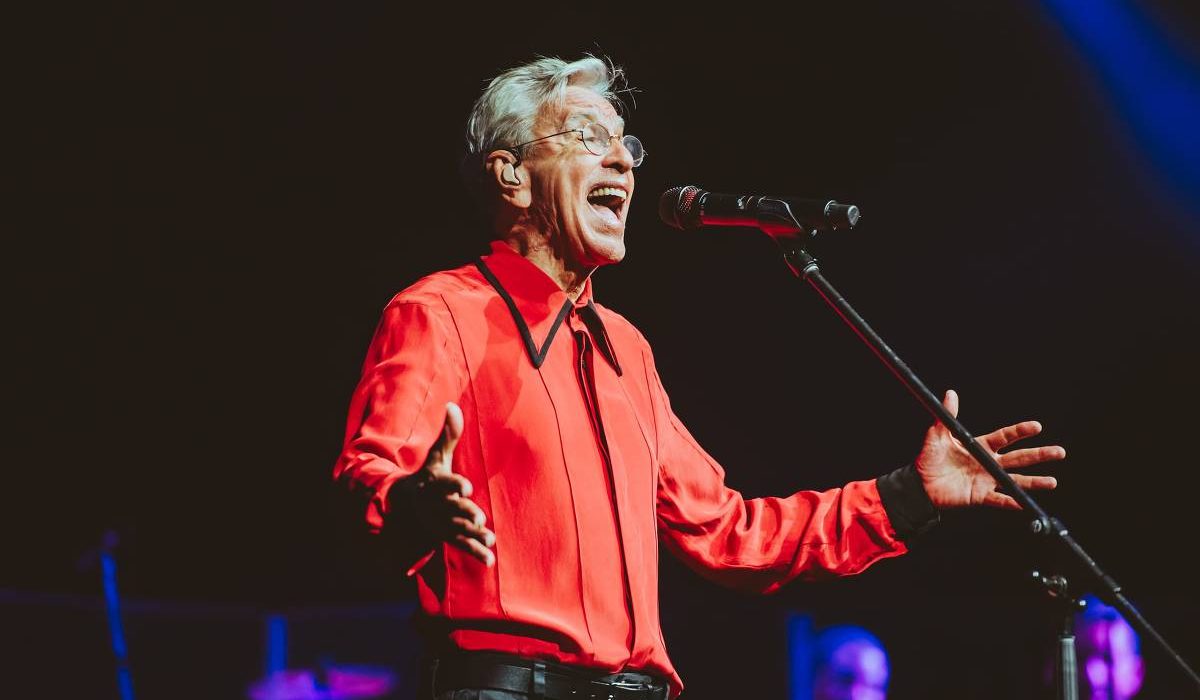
(223,202)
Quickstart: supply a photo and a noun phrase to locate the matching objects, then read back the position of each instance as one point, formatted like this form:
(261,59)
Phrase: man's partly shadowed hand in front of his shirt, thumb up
(441,499)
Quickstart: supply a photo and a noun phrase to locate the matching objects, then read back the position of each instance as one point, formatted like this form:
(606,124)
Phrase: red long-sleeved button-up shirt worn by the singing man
(581,468)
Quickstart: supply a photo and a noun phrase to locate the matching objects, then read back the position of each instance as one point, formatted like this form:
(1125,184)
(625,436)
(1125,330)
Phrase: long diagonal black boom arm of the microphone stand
(1042,524)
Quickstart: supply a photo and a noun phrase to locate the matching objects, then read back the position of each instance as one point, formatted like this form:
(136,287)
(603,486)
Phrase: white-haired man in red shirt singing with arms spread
(517,439)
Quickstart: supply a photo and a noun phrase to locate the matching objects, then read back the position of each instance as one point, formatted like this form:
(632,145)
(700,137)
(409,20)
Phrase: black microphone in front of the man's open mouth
(689,207)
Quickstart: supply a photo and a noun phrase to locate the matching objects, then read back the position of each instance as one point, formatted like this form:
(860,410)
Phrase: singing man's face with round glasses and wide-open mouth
(579,199)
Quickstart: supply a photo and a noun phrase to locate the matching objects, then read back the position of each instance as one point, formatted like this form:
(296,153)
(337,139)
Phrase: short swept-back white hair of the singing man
(506,113)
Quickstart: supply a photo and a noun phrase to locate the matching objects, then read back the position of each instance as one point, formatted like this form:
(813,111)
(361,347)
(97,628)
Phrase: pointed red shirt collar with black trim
(538,304)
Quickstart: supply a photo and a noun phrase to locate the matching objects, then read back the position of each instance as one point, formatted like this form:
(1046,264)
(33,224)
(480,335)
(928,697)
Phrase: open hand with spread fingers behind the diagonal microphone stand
(955,480)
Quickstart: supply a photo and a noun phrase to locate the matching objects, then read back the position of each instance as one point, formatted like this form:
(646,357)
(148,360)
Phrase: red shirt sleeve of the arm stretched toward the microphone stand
(760,545)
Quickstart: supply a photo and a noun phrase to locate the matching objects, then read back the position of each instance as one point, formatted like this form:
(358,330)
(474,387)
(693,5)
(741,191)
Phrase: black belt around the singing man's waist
(541,679)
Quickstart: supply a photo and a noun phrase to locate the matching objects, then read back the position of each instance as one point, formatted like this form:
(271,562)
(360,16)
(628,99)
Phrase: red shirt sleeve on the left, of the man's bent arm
(397,414)
